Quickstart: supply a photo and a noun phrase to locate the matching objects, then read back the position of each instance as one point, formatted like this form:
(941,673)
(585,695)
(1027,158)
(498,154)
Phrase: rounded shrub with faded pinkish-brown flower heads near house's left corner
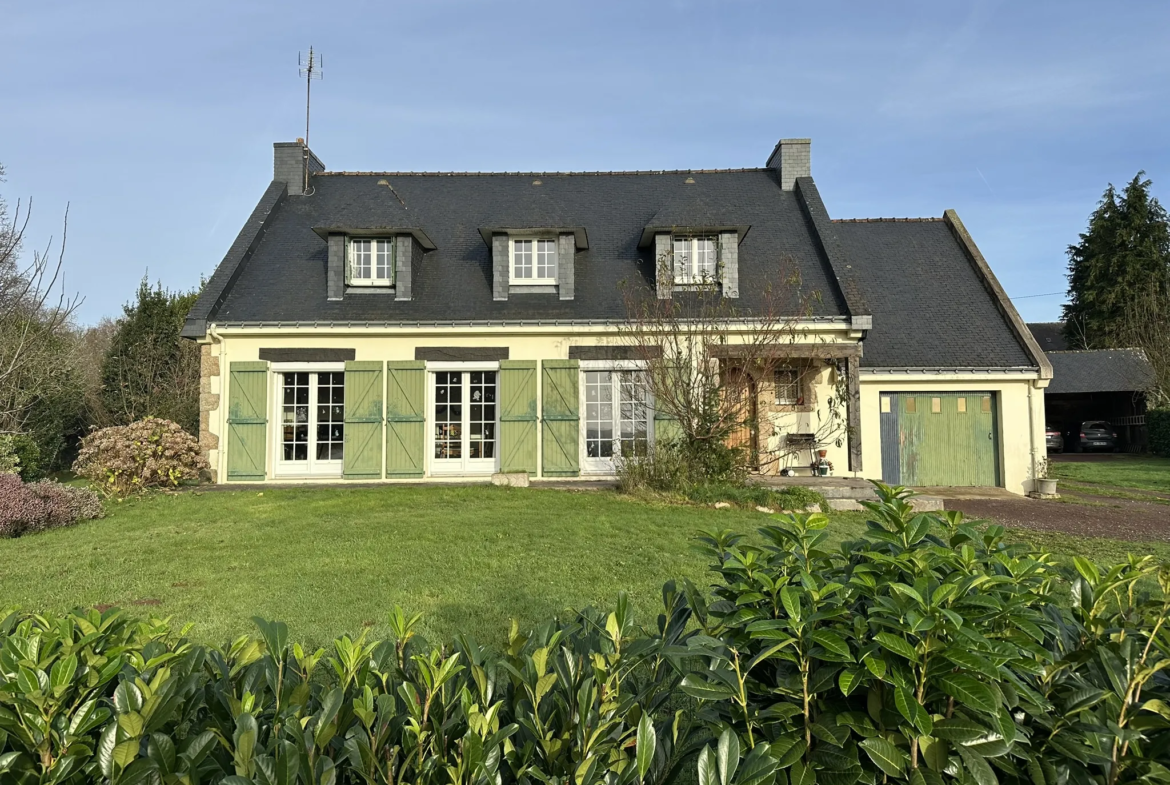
(152,453)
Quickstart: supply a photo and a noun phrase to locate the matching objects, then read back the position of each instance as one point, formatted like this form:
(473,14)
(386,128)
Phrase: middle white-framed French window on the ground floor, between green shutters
(464,411)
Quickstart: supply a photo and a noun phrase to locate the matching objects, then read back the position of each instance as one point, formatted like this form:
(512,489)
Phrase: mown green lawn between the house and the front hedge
(333,561)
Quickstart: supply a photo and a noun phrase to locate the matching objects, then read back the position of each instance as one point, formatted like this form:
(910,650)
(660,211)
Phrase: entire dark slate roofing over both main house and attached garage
(931,305)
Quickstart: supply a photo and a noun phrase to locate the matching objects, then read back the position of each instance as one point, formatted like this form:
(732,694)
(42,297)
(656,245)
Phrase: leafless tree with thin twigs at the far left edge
(35,318)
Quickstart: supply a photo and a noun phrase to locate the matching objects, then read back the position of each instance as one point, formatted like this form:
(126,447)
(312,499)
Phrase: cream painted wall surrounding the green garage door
(1021,402)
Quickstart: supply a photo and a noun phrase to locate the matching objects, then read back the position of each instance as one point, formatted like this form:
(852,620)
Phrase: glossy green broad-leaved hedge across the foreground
(927,652)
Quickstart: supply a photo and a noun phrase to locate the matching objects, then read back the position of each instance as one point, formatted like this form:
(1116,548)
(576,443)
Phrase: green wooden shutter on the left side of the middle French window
(407,402)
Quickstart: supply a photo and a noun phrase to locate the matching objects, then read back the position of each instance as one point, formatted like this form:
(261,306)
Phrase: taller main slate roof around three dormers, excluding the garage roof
(285,278)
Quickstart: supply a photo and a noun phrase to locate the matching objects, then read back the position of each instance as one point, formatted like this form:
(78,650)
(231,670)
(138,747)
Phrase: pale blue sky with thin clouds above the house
(156,120)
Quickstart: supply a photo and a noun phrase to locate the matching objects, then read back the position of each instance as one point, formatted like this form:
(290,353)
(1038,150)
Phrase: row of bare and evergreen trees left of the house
(60,380)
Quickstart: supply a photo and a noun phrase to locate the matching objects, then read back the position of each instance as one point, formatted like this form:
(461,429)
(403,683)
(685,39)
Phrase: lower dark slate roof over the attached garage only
(931,306)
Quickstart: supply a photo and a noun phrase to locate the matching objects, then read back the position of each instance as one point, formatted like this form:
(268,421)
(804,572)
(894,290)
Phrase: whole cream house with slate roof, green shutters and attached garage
(430,326)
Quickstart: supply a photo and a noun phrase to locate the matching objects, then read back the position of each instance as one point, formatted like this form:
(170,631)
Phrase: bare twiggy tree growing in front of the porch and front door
(705,357)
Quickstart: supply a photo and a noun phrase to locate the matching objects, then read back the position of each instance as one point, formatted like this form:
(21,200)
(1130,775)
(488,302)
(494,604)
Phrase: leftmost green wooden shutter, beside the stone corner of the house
(247,422)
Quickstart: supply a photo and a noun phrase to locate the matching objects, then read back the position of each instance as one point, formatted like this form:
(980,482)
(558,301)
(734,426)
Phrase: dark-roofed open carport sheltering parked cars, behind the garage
(1100,384)
